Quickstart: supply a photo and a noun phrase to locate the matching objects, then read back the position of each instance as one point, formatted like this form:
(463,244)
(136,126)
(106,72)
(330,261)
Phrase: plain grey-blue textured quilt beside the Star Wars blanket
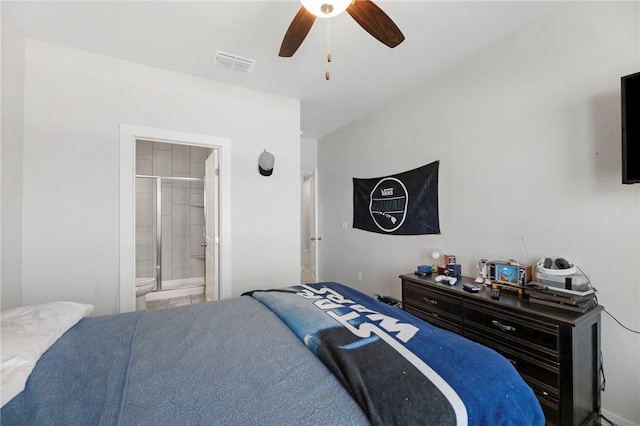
(231,362)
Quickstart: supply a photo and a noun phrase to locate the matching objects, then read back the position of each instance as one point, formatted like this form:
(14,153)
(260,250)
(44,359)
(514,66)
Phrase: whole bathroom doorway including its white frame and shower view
(143,190)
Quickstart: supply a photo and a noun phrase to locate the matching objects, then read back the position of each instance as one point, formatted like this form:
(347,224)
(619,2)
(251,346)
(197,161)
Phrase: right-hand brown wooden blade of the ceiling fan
(376,22)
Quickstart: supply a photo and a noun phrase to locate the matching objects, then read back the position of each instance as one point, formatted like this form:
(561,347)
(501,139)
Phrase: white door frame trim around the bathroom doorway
(128,136)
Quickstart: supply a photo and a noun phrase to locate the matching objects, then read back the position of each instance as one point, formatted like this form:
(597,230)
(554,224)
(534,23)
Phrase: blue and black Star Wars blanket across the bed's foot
(400,369)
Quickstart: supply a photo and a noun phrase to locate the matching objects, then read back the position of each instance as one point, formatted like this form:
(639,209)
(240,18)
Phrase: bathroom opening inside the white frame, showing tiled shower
(173,219)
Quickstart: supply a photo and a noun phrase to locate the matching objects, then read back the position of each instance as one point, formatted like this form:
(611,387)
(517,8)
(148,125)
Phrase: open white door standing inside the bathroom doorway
(212,228)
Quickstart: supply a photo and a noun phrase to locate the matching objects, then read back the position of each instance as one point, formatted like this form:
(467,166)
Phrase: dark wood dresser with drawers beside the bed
(556,352)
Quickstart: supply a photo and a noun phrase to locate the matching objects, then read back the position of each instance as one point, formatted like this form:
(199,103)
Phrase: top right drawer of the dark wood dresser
(524,334)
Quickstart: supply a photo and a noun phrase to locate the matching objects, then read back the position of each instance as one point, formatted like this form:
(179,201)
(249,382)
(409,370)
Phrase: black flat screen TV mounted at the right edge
(630,92)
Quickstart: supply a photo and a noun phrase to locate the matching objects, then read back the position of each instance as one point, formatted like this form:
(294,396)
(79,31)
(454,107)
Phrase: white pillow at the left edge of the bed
(26,333)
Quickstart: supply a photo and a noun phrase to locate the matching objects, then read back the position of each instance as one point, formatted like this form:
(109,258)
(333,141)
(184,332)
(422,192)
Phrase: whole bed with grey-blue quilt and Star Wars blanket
(316,354)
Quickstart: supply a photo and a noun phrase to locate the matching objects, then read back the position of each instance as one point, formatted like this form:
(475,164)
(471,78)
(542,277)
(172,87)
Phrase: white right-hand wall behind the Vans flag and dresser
(528,138)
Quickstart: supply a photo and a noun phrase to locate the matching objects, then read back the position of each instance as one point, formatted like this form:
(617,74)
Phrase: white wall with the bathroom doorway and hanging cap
(75,103)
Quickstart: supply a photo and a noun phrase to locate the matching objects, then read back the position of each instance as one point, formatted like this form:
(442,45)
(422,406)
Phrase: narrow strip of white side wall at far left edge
(11,166)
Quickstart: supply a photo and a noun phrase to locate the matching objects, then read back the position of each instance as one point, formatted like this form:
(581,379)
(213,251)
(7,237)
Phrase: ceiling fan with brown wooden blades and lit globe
(365,12)
